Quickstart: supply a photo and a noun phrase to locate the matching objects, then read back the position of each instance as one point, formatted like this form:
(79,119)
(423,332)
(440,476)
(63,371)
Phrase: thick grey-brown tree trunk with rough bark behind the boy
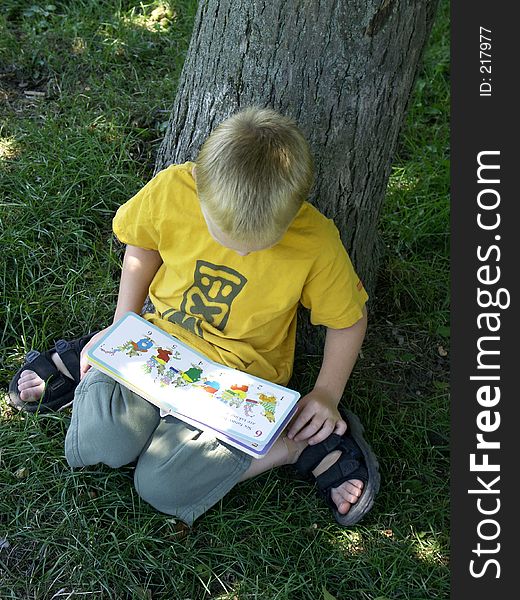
(343,69)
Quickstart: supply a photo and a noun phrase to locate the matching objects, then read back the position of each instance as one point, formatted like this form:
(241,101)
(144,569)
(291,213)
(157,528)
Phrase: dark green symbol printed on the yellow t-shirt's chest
(209,298)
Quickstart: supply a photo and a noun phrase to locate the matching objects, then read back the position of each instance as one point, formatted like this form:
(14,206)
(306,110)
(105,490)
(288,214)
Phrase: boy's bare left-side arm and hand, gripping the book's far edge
(139,268)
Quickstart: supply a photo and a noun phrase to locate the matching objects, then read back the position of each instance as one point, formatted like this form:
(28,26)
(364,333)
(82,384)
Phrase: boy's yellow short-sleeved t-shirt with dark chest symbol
(238,310)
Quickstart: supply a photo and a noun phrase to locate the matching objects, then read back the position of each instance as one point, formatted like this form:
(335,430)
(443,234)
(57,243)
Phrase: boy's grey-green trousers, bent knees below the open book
(180,470)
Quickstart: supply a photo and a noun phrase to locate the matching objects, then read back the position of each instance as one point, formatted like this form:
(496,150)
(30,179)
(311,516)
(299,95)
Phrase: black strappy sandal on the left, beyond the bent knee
(59,389)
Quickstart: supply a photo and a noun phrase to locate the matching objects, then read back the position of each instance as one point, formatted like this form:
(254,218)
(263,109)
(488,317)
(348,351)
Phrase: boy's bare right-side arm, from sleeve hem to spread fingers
(318,414)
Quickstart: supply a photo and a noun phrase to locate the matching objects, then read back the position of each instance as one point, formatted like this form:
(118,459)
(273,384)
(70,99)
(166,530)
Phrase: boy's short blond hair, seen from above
(253,173)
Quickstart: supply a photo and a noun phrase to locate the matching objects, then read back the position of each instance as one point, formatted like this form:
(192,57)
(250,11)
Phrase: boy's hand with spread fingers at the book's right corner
(316,419)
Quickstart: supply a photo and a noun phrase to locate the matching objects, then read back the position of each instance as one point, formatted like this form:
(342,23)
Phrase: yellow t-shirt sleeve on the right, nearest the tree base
(333,292)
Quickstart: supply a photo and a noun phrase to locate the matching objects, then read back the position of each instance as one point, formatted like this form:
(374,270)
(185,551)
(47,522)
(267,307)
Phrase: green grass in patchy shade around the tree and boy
(85,92)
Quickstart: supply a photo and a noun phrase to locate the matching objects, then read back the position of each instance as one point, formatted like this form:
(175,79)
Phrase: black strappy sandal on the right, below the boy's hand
(357,461)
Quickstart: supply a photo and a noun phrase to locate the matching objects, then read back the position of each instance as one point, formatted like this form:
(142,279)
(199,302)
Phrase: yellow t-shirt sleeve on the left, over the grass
(136,221)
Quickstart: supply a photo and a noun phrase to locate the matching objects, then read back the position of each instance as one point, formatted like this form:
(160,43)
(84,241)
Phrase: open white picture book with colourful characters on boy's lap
(242,410)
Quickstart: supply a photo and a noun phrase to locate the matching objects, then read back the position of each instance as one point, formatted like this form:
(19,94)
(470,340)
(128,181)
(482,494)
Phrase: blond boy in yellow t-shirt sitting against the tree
(226,248)
